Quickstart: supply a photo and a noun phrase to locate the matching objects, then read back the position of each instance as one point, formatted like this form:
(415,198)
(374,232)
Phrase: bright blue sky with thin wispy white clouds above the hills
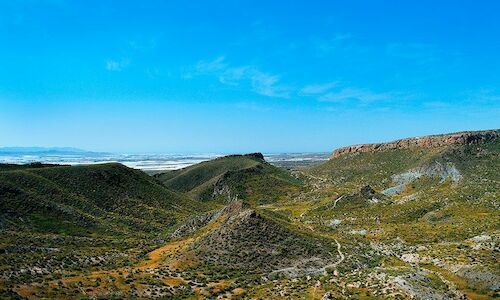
(244,76)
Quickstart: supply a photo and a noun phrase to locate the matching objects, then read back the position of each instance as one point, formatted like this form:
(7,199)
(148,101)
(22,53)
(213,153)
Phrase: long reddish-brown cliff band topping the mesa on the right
(431,141)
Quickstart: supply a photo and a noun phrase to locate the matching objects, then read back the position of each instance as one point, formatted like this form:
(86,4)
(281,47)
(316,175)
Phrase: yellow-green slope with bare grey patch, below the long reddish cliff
(446,193)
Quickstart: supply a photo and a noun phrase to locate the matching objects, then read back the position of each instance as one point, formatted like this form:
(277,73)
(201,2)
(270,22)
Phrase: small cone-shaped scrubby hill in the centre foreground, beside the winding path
(247,241)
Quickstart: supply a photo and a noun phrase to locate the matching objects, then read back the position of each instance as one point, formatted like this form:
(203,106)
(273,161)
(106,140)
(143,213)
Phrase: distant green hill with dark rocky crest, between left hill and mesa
(246,177)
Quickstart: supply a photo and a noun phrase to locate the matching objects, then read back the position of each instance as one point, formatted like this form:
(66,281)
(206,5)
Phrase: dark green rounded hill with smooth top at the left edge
(84,199)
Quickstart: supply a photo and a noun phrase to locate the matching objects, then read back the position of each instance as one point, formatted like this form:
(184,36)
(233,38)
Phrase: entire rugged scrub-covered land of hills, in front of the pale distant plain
(412,219)
